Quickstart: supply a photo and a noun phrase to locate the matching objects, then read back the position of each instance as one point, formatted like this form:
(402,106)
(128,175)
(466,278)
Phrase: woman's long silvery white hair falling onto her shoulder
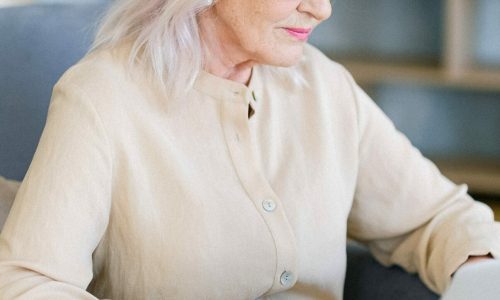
(165,40)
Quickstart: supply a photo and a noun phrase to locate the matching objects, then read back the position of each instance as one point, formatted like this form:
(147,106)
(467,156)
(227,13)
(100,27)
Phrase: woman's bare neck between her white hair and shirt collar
(223,59)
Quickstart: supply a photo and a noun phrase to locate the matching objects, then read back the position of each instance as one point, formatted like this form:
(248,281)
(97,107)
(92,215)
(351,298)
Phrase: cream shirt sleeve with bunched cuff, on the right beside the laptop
(406,211)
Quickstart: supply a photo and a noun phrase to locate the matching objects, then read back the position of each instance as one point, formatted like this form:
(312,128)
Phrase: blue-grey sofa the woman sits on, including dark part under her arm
(38,43)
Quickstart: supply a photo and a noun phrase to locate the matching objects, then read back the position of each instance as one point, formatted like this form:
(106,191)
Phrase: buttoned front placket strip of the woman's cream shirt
(259,191)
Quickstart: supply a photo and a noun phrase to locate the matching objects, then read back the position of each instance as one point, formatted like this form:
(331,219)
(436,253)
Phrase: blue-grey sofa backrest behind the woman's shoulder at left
(38,43)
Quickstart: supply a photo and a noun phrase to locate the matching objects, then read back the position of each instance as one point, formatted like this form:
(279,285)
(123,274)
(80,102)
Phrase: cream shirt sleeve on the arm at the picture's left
(62,208)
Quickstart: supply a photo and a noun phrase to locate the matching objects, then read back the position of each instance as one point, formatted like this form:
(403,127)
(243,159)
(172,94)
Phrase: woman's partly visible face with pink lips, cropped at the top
(269,32)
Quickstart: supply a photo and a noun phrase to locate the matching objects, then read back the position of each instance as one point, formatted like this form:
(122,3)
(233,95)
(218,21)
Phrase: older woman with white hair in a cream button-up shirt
(204,150)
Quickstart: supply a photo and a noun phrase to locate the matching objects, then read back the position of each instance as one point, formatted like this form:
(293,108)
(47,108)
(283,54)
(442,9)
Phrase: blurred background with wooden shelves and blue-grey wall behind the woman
(433,66)
